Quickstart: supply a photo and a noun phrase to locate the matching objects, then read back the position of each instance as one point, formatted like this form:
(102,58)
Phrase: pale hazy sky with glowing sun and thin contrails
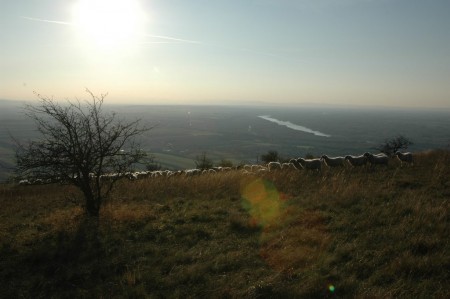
(327,52)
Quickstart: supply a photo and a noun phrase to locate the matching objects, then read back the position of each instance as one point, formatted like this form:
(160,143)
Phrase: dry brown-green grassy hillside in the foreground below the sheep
(376,233)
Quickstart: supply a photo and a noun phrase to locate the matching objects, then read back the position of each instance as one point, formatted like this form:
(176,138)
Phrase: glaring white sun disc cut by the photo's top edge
(109,24)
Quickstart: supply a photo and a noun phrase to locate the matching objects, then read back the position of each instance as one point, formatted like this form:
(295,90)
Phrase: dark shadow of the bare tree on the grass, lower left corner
(63,263)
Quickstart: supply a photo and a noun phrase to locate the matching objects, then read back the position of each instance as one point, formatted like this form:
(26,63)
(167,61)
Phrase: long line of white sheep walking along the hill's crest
(294,164)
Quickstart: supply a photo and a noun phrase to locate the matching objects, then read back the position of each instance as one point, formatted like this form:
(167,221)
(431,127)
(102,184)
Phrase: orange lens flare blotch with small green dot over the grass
(292,238)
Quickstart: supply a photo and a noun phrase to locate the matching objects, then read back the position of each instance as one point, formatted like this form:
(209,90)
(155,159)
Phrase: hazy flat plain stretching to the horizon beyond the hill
(240,134)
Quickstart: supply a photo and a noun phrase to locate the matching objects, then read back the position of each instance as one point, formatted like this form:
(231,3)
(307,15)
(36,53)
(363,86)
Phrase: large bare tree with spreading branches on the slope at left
(82,145)
